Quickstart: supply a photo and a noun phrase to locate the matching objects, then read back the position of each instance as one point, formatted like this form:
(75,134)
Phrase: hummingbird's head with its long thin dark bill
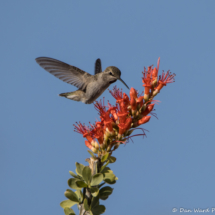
(113,74)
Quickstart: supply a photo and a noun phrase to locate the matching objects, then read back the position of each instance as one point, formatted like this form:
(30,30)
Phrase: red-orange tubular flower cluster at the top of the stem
(118,121)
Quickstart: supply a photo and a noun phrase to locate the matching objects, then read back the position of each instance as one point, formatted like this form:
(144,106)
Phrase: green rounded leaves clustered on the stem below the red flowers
(92,184)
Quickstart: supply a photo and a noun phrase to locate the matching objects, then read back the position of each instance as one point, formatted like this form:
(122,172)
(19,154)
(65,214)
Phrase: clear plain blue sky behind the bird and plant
(173,167)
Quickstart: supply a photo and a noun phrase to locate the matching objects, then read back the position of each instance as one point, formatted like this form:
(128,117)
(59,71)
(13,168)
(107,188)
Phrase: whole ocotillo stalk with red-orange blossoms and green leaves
(116,125)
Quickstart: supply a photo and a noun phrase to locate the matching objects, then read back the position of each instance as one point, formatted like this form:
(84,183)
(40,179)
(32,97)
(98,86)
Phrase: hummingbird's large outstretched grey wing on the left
(65,72)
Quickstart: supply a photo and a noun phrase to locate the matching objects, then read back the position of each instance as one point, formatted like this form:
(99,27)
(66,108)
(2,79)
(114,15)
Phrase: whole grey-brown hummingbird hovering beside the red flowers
(90,87)
